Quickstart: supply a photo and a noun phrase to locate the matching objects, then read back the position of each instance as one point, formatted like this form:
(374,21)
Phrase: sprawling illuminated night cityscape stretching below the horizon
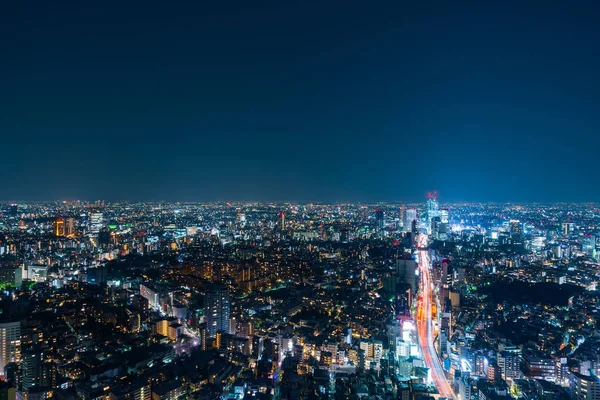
(299,301)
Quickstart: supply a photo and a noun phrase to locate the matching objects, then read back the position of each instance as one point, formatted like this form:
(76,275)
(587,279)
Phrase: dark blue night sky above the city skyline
(299,100)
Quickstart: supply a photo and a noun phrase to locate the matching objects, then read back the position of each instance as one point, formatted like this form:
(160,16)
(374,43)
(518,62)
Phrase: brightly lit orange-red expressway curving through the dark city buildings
(425,329)
